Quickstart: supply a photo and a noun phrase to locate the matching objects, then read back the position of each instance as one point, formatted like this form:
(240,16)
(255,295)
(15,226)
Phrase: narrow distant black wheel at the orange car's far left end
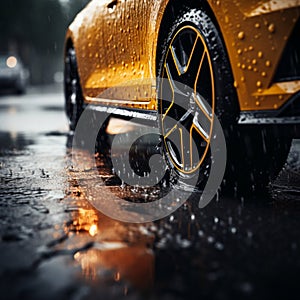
(72,89)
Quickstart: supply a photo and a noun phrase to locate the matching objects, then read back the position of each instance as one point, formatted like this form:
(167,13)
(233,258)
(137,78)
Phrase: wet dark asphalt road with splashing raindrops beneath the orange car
(55,245)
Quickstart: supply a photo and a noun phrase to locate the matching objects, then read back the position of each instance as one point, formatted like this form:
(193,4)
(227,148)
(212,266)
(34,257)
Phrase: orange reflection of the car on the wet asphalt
(121,253)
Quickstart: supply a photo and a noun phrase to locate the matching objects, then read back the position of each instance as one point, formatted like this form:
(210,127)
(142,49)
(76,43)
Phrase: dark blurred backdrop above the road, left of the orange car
(33,31)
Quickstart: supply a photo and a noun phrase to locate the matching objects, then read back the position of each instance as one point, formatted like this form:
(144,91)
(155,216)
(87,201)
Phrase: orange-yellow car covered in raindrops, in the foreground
(241,60)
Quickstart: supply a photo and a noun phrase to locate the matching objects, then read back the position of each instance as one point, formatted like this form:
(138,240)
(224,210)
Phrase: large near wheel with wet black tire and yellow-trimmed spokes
(195,85)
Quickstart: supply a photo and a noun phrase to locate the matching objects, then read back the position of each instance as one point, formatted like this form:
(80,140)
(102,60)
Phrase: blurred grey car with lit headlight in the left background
(13,75)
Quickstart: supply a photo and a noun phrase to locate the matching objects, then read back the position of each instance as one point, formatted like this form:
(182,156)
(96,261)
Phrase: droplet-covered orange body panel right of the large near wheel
(255,34)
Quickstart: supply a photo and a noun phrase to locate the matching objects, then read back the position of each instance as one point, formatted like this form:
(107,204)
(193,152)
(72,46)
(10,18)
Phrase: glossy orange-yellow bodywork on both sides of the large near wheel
(116,46)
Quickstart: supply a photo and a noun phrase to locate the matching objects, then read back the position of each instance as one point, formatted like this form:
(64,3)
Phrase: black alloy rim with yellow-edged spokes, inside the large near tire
(187,62)
